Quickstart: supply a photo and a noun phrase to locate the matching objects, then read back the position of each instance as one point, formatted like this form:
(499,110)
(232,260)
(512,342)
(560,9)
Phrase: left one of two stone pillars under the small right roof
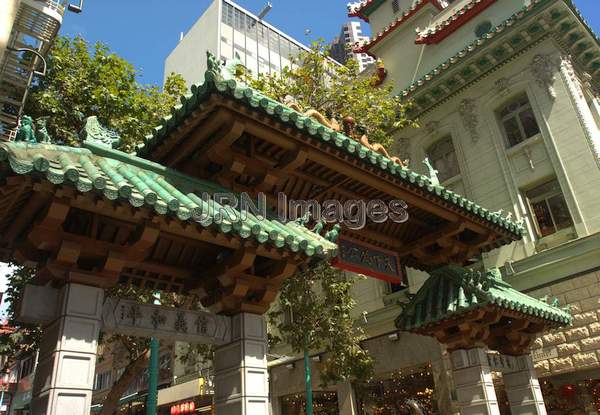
(474,384)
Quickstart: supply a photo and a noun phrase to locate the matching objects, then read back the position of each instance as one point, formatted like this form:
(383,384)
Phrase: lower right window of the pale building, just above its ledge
(549,208)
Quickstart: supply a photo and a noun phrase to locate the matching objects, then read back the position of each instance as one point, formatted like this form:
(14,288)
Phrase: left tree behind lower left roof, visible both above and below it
(84,80)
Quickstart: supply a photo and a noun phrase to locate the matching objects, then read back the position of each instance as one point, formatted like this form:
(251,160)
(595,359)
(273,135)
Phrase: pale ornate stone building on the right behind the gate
(506,93)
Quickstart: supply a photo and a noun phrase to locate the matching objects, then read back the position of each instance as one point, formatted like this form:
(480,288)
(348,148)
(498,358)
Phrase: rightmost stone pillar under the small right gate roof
(523,389)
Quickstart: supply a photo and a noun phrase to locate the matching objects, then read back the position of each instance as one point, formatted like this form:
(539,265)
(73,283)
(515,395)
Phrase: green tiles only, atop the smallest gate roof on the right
(451,291)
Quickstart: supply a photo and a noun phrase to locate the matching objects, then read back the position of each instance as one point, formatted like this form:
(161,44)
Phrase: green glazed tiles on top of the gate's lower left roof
(142,183)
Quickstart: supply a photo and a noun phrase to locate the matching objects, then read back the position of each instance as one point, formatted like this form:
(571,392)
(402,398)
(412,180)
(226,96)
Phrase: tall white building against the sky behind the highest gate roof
(226,30)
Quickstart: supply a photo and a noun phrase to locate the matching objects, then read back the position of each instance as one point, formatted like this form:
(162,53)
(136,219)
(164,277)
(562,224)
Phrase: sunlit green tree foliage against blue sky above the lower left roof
(84,80)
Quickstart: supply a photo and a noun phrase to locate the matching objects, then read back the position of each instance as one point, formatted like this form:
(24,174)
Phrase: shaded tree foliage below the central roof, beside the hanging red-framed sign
(319,301)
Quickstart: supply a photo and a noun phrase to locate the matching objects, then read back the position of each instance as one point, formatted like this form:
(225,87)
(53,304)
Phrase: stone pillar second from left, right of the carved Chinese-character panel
(241,377)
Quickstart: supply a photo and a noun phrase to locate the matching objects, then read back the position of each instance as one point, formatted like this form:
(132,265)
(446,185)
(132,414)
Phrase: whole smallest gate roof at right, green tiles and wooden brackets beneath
(465,308)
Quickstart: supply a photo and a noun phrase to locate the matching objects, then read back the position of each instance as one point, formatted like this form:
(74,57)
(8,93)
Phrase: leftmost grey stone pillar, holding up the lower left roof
(64,376)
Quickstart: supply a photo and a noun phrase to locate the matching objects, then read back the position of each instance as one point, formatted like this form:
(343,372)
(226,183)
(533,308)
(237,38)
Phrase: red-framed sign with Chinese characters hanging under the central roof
(362,258)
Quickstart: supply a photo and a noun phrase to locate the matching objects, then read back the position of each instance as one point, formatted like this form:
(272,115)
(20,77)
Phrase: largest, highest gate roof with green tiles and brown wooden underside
(298,147)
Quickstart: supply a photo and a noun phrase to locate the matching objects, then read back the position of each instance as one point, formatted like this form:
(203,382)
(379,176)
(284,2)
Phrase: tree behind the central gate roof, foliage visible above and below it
(319,298)
